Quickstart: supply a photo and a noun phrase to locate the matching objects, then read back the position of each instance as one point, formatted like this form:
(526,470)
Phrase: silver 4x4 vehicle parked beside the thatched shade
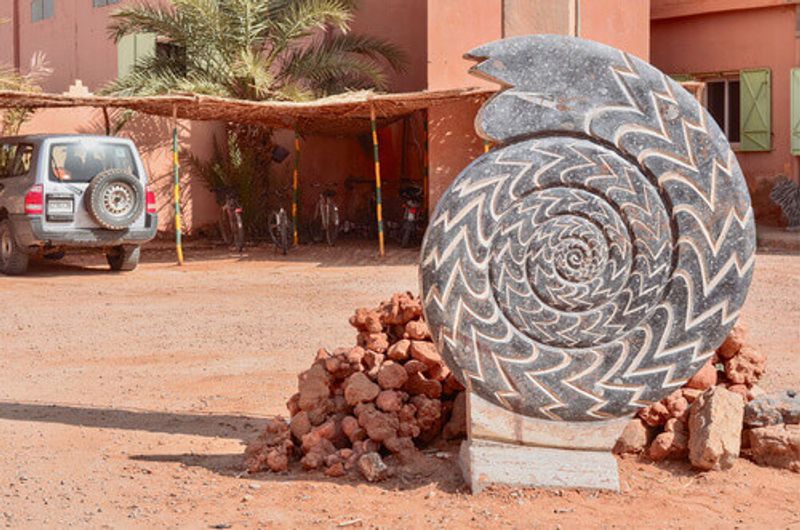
(73,191)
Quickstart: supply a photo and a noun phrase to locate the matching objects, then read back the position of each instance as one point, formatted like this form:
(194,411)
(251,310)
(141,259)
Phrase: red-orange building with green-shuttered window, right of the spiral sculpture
(748,53)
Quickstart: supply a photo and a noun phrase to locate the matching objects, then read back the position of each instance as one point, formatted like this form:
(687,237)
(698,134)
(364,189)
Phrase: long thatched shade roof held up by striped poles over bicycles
(342,114)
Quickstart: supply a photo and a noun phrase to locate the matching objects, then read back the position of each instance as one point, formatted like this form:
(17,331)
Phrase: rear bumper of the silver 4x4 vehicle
(29,232)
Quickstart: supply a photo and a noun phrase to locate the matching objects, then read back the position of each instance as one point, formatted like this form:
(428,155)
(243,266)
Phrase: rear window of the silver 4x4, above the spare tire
(82,161)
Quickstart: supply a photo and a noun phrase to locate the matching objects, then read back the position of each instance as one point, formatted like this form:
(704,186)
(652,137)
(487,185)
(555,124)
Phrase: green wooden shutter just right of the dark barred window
(756,110)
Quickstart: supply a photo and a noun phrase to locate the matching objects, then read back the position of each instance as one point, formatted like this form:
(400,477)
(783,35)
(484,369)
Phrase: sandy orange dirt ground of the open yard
(126,401)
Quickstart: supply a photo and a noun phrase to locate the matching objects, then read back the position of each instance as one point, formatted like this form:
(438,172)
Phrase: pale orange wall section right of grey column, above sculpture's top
(622,24)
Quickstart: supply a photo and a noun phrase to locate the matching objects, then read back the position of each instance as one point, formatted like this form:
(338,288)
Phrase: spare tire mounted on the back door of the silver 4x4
(115,199)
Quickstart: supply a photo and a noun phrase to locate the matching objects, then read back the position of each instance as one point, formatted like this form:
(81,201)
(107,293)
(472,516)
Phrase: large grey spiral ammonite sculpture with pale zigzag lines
(593,262)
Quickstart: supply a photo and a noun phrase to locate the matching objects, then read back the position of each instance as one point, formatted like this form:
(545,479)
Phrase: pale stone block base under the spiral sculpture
(507,448)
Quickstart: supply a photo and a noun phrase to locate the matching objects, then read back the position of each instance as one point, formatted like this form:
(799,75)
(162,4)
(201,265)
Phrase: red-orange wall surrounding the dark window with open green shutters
(731,41)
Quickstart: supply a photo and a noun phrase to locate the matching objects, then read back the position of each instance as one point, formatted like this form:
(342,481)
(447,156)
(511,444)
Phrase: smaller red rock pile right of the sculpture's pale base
(702,420)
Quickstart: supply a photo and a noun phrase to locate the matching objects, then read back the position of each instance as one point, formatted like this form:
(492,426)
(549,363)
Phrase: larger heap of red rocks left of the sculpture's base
(388,394)
